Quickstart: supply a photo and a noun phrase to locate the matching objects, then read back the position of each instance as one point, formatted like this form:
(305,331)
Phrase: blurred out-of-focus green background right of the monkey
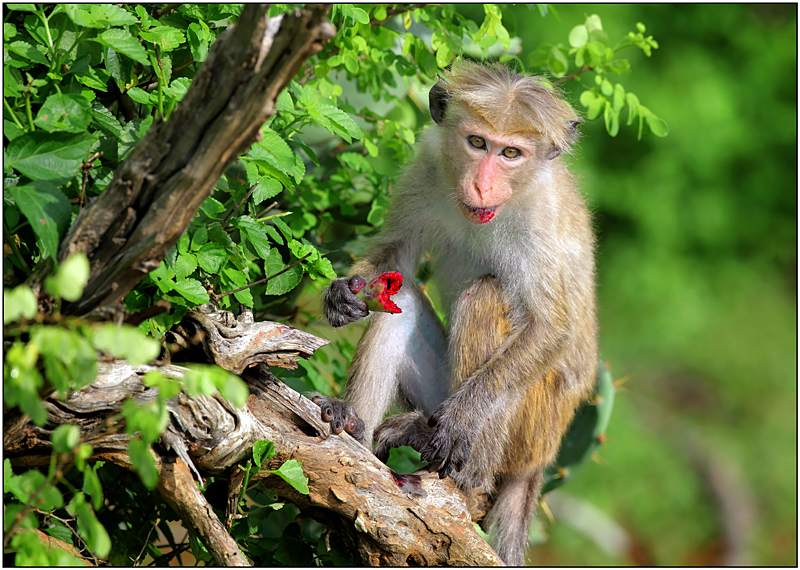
(697,286)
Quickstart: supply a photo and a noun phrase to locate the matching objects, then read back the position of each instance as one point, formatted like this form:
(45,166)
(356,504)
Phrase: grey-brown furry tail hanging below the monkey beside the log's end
(510,516)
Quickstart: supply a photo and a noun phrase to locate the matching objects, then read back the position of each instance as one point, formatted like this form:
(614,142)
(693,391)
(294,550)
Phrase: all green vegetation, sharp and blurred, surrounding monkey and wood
(697,256)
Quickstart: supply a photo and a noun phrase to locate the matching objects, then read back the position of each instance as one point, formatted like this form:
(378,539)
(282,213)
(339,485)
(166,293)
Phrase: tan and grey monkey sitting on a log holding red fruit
(489,198)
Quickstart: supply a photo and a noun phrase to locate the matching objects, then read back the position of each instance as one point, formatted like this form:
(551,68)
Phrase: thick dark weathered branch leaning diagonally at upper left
(156,192)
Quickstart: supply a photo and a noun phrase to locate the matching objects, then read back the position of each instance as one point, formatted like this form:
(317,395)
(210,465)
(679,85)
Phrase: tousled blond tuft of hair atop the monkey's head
(508,101)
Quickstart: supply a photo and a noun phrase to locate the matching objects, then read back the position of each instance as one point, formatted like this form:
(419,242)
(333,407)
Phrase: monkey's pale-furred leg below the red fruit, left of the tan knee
(406,349)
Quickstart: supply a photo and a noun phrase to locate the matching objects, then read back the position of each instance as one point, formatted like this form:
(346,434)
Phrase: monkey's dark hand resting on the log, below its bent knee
(449,448)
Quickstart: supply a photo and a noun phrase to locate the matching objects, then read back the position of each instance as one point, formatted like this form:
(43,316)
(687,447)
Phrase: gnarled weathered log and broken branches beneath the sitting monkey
(387,519)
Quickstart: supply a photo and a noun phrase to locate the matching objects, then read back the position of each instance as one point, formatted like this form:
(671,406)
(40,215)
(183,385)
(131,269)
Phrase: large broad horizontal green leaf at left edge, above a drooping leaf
(43,156)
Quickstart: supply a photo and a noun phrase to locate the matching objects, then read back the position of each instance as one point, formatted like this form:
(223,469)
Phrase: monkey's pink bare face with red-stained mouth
(489,167)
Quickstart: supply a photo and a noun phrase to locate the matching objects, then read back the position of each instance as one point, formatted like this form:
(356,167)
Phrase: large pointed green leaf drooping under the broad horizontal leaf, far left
(47,210)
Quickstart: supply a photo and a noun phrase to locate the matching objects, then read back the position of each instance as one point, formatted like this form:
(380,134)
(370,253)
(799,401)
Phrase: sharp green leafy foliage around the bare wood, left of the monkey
(82,85)
